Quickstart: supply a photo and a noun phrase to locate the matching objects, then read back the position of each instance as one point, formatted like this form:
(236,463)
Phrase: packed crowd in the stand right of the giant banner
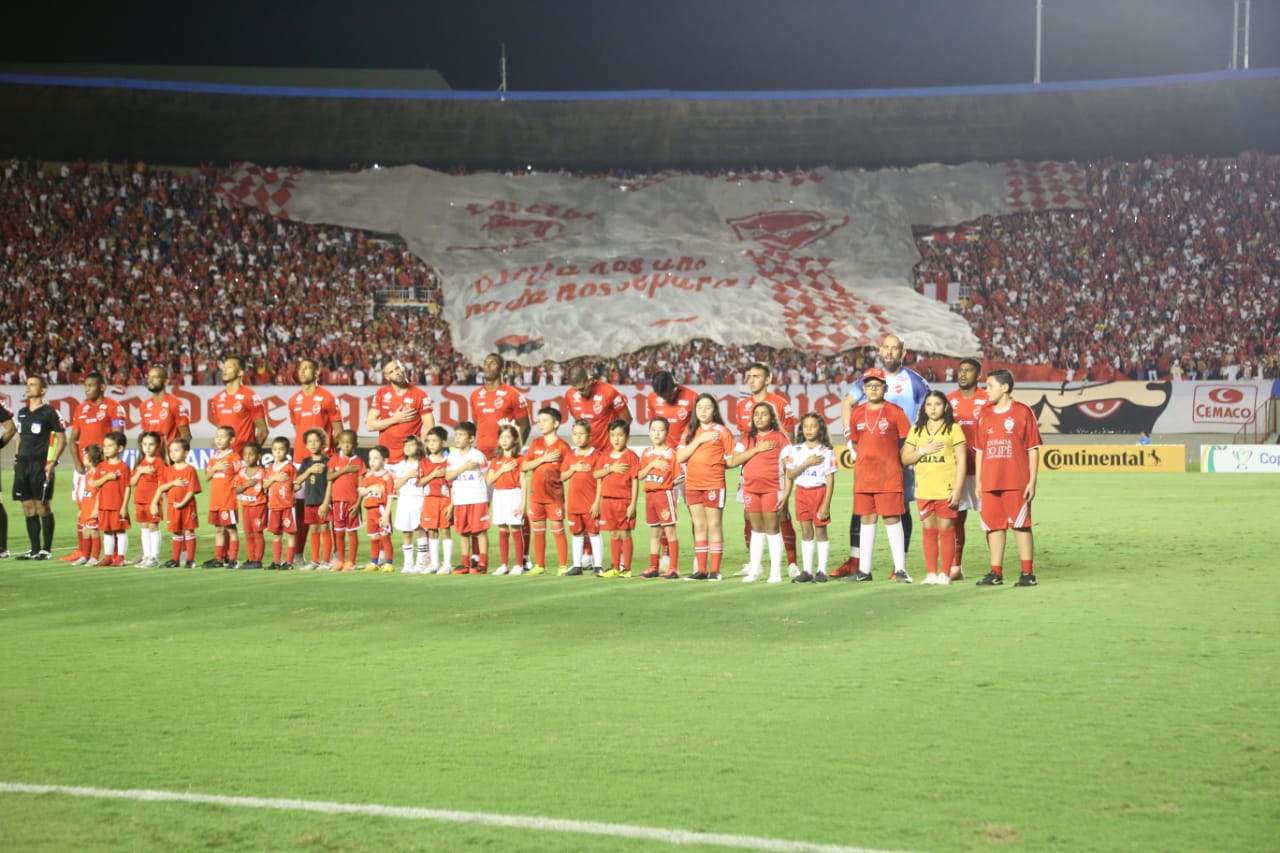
(1176,272)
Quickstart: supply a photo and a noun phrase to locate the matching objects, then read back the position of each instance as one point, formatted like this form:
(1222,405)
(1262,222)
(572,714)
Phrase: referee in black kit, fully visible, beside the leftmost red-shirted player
(42,439)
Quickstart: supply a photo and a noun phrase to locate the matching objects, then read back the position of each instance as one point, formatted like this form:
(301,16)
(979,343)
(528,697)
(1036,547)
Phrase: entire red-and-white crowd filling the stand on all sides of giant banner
(1176,272)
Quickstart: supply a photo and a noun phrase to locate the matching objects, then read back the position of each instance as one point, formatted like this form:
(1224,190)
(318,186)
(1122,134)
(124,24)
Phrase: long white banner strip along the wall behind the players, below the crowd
(1114,408)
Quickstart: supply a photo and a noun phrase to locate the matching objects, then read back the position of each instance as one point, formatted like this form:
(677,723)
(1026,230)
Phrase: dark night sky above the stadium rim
(661,44)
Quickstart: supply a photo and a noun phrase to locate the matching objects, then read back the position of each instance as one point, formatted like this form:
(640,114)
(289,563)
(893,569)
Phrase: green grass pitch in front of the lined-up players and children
(1130,703)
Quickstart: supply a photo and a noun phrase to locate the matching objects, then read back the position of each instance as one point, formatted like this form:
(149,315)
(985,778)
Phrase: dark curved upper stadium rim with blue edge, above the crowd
(66,117)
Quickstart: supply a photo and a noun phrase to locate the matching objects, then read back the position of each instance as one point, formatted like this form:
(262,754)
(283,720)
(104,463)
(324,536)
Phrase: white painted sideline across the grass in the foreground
(487,819)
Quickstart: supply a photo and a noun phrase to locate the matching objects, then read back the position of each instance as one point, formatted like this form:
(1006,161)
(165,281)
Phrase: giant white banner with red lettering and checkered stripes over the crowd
(557,267)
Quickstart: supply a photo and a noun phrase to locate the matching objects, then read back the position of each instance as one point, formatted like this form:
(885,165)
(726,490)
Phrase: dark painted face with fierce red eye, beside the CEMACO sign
(1100,410)
